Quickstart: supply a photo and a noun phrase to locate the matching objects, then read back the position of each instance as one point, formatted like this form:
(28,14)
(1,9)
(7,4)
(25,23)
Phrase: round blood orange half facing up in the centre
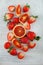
(19,31)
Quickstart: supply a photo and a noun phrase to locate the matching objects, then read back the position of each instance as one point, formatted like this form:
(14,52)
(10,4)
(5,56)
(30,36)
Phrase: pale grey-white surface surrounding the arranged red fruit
(34,56)
